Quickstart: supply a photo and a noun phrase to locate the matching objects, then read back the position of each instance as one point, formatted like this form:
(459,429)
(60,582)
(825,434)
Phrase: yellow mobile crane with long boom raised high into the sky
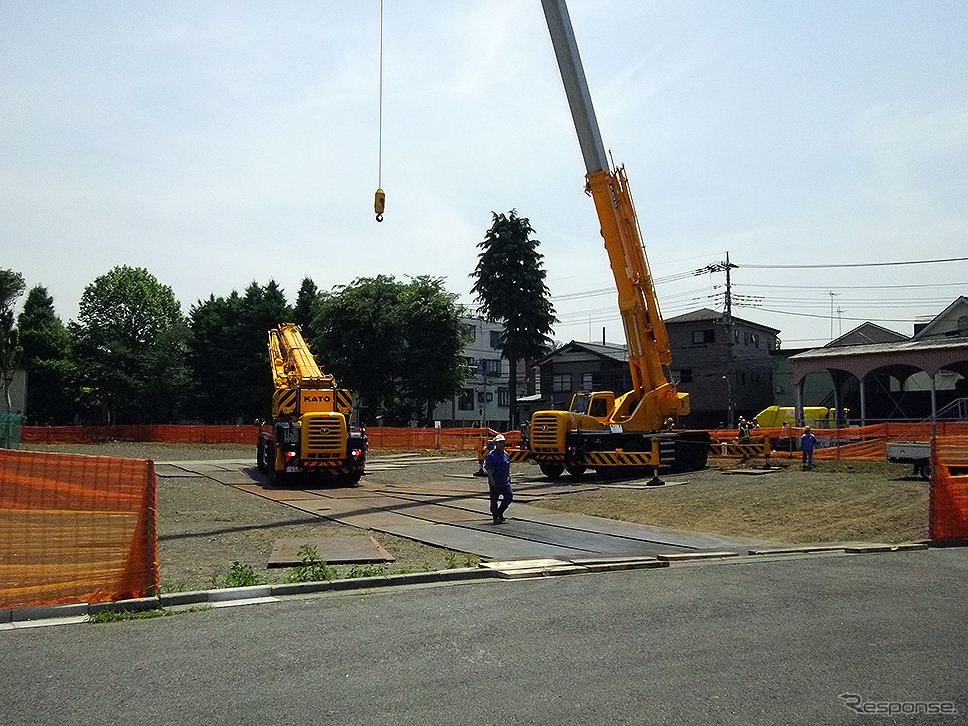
(610,433)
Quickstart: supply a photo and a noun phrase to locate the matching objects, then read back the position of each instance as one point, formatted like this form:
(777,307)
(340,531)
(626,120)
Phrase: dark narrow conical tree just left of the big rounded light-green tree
(46,344)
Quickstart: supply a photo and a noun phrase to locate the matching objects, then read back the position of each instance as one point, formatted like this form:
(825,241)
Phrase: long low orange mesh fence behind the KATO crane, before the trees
(379,437)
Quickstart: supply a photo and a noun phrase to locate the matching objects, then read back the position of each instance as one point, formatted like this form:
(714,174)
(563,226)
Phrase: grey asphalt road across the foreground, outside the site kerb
(794,640)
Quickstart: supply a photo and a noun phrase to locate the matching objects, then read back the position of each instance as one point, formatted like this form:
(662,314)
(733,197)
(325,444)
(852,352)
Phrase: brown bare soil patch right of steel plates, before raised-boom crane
(837,501)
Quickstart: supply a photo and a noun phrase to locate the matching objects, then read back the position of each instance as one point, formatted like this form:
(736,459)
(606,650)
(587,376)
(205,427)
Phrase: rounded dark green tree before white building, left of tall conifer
(433,366)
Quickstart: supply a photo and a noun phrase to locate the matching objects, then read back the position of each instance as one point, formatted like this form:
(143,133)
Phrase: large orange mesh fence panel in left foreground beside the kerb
(76,529)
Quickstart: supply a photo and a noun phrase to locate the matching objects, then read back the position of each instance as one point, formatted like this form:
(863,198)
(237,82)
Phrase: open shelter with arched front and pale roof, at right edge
(898,360)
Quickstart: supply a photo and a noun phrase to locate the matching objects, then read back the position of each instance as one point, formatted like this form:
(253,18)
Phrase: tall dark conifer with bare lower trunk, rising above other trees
(510,288)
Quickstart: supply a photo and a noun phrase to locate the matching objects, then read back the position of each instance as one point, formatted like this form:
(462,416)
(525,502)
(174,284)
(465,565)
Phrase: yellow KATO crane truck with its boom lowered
(310,431)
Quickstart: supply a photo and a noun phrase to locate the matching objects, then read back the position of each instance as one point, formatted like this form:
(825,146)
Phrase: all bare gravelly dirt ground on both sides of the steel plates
(205,527)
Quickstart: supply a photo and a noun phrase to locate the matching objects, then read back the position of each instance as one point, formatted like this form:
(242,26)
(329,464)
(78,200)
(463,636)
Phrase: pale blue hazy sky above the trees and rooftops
(216,144)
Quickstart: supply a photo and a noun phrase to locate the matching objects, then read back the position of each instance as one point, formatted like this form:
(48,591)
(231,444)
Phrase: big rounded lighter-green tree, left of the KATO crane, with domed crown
(131,347)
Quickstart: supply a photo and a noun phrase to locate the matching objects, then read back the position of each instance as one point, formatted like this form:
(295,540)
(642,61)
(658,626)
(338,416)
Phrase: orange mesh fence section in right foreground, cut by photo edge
(948,517)
